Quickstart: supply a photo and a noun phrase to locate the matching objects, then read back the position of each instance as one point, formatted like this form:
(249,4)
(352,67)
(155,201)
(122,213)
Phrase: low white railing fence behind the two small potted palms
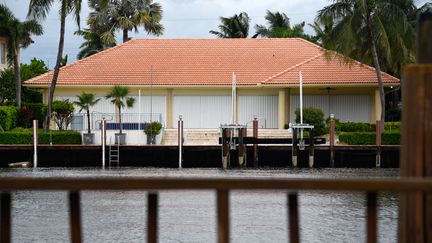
(130,121)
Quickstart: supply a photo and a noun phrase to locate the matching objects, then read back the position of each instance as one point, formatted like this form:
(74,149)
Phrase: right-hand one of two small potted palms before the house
(118,96)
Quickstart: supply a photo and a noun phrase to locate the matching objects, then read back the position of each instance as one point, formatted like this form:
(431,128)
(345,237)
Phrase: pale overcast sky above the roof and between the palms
(181,19)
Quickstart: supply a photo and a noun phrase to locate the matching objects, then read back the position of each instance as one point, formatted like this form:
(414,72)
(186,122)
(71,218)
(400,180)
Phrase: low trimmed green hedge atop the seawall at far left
(26,137)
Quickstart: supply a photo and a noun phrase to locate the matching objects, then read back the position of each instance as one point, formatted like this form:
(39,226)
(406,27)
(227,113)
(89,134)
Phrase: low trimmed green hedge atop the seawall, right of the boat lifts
(368,138)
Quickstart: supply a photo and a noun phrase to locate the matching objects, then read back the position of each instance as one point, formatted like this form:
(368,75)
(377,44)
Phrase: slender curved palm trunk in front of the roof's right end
(378,73)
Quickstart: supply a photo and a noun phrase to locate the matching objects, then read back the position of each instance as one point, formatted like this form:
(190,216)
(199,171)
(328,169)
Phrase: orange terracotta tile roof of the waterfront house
(211,62)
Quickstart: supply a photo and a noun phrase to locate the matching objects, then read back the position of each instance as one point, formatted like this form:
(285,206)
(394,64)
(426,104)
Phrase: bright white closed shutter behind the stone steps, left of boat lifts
(202,111)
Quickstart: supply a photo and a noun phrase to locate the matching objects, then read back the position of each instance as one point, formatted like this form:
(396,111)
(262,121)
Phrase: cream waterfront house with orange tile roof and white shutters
(192,78)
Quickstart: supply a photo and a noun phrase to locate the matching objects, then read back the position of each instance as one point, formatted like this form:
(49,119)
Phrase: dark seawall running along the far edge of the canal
(362,156)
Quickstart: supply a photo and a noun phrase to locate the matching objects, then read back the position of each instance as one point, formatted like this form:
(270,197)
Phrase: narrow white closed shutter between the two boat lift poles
(265,107)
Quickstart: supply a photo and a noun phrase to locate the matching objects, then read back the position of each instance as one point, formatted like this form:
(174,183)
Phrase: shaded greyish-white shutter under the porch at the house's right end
(355,108)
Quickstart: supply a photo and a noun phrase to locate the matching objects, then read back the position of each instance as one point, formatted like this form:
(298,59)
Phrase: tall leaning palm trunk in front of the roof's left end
(57,66)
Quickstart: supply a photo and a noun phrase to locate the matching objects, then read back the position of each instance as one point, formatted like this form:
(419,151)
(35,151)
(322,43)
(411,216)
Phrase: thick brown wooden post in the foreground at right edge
(415,217)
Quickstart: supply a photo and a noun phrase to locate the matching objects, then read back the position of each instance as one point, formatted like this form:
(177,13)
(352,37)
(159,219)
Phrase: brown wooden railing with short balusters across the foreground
(222,185)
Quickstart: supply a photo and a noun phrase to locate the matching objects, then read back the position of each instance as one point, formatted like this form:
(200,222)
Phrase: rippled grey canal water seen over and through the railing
(190,216)
